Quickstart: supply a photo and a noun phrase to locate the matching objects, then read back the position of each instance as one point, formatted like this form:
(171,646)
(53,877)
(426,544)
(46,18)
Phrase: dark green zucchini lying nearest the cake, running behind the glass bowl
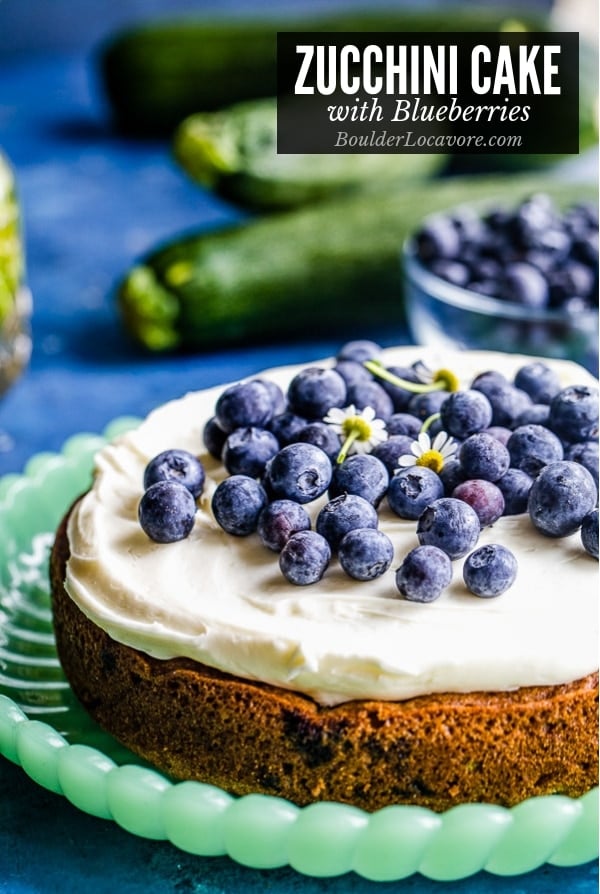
(329,268)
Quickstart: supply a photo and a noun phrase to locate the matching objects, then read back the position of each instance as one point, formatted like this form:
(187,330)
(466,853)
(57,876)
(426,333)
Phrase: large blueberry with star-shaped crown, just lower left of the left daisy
(300,472)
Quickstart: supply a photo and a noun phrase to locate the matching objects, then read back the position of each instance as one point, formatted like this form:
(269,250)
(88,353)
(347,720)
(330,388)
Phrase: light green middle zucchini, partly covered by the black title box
(234,152)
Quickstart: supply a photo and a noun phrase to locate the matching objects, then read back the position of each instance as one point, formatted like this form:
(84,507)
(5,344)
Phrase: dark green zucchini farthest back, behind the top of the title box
(157,74)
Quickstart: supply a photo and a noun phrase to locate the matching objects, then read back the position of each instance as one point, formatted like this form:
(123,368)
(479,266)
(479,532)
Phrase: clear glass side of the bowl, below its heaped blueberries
(442,314)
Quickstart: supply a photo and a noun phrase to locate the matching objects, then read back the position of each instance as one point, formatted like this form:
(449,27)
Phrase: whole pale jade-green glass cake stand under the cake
(45,731)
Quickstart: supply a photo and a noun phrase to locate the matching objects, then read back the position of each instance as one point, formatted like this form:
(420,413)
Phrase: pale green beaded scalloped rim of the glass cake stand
(261,832)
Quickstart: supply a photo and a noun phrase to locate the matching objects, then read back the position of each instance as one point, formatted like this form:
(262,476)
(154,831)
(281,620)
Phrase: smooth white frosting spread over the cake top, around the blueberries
(222,600)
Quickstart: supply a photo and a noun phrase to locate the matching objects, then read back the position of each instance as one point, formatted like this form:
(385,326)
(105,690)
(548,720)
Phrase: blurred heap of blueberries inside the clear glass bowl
(533,255)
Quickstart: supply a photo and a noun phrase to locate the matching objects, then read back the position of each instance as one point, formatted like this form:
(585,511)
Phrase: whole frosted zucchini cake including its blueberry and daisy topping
(223,656)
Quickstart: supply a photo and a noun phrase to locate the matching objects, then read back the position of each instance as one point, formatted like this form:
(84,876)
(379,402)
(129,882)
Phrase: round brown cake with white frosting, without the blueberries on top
(202,657)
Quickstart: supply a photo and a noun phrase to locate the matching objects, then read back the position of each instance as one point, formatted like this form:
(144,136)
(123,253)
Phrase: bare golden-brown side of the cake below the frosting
(193,722)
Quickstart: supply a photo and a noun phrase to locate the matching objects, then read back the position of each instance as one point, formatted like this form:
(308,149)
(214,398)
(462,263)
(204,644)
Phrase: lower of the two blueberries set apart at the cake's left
(166,511)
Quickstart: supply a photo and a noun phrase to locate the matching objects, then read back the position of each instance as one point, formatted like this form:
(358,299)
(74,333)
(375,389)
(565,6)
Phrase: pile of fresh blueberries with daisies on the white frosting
(506,448)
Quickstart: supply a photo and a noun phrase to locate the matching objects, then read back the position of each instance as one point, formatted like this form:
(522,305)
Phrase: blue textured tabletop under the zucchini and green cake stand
(92,203)
